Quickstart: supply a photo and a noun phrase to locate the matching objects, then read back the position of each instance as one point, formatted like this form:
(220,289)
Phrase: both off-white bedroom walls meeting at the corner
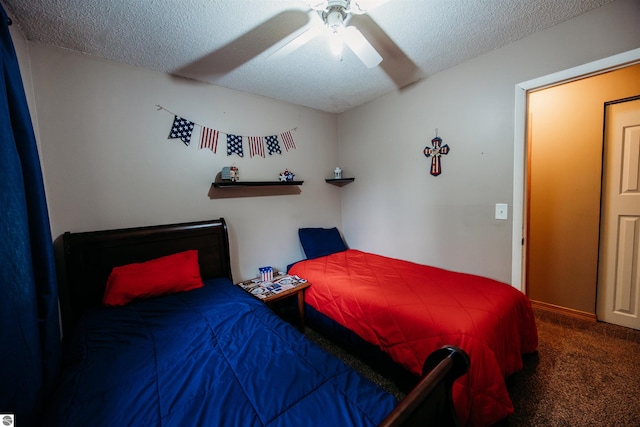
(107,161)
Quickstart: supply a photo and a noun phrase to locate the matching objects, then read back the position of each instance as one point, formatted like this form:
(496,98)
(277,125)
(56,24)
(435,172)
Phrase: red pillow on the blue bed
(160,276)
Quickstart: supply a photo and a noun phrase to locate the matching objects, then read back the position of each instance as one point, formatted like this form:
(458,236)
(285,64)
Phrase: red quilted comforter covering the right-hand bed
(408,310)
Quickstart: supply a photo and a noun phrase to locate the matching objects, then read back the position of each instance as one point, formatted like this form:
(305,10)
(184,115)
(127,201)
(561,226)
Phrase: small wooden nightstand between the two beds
(282,286)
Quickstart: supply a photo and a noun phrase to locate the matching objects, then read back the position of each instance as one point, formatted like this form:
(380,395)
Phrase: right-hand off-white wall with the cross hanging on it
(396,208)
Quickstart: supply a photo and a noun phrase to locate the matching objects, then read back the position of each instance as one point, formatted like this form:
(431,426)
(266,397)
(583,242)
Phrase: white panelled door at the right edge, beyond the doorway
(618,298)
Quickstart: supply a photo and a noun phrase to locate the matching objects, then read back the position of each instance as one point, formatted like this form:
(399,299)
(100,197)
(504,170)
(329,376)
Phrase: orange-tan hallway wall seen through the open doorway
(564,187)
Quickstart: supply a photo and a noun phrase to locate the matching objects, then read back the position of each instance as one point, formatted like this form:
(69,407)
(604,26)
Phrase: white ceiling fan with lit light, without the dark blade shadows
(336,15)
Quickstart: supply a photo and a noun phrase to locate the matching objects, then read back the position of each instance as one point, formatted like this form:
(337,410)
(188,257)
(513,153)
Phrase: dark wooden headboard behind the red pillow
(87,258)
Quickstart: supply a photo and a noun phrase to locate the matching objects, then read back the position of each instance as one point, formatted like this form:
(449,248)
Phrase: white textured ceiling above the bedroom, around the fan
(229,43)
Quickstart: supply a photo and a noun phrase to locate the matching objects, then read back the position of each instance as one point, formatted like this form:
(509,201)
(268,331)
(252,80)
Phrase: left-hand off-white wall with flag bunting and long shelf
(108,163)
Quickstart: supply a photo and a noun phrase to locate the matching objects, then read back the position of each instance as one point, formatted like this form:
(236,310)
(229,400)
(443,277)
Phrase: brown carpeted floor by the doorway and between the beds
(584,374)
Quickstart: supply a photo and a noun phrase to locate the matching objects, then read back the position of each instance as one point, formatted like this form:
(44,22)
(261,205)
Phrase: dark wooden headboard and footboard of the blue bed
(85,261)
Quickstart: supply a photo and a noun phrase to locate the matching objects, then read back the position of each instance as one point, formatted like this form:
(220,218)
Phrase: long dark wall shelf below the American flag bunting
(232,189)
